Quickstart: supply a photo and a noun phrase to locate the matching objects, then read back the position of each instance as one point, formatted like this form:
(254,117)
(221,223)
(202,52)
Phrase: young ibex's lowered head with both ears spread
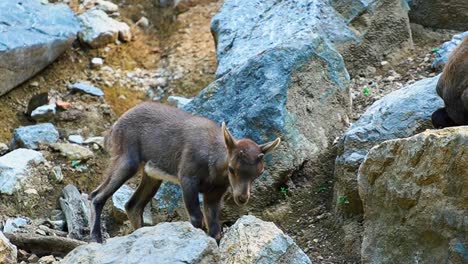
(245,163)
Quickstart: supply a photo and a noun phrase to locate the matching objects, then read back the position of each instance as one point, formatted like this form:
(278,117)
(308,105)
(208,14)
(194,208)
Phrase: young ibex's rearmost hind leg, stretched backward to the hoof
(121,169)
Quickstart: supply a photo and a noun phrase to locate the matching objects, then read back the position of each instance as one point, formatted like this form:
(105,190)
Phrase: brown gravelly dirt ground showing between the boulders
(175,55)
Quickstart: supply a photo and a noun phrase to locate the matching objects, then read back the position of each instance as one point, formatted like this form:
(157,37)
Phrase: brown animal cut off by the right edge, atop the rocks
(453,89)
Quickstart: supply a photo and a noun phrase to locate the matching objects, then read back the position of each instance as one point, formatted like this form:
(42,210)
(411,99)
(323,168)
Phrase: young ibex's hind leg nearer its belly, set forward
(142,196)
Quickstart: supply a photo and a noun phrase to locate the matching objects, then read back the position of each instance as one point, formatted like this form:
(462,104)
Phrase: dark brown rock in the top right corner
(451,14)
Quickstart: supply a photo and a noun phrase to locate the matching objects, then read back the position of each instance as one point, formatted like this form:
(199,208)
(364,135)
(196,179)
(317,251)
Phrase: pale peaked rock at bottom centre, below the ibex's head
(251,240)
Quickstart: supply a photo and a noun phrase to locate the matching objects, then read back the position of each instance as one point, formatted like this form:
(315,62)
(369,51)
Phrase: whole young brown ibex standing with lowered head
(179,147)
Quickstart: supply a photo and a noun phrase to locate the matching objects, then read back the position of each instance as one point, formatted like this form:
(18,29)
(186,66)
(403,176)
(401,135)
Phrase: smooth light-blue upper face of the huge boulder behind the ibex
(243,29)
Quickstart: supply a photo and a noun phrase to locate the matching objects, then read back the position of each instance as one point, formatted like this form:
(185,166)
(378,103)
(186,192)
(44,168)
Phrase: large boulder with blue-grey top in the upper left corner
(32,36)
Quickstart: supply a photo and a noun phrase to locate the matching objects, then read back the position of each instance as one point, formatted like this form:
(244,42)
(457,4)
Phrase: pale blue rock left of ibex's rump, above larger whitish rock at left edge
(32,136)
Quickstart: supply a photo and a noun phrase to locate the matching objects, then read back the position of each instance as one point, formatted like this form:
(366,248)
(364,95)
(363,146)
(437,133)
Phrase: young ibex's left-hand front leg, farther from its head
(190,189)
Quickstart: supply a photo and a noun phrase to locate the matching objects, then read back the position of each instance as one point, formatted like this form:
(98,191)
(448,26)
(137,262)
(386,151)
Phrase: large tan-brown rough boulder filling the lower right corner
(415,198)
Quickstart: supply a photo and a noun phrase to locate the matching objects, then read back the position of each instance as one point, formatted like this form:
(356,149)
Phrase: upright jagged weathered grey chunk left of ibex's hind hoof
(77,211)
